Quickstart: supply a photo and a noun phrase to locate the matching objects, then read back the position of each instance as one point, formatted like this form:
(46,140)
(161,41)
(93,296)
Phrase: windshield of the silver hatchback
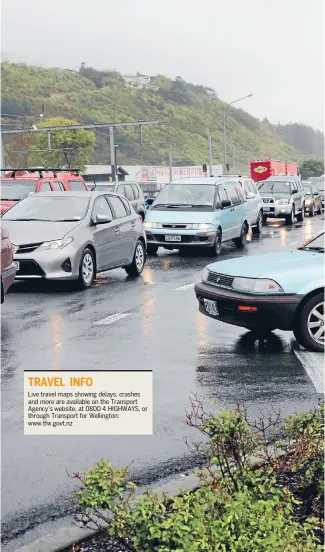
(52,209)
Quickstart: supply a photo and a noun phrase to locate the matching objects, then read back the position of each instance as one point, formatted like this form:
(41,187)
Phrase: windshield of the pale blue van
(186,195)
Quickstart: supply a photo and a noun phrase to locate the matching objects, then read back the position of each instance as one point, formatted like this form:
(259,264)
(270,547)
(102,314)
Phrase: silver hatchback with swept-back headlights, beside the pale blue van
(75,235)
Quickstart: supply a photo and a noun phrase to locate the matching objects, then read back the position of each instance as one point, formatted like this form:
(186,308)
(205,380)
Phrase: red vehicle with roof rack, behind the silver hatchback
(20,183)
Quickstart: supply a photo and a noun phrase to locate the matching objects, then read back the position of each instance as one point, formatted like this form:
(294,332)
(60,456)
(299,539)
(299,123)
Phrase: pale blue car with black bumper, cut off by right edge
(282,290)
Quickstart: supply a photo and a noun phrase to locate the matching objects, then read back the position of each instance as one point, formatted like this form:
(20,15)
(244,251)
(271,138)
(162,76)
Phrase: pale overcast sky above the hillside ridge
(271,48)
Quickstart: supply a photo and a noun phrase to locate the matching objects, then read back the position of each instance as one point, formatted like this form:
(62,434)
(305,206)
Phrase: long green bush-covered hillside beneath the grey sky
(187,113)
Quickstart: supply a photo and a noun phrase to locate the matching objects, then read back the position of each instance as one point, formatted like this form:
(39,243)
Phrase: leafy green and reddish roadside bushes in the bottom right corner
(239,507)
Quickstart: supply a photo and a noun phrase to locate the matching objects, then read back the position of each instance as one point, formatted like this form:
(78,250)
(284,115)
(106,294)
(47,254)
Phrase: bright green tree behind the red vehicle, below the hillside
(70,148)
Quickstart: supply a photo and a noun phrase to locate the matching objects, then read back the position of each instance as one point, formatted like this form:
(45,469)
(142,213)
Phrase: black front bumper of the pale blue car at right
(272,312)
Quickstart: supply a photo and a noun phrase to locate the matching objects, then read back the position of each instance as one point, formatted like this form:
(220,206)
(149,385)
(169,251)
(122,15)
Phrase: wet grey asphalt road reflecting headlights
(52,327)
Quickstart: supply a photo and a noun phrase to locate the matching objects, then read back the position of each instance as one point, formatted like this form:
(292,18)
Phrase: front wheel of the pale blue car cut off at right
(309,329)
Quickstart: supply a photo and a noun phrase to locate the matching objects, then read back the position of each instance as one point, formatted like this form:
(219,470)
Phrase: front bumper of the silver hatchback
(59,264)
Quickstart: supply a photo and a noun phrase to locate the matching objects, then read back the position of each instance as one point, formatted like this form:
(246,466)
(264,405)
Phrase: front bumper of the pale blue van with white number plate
(188,238)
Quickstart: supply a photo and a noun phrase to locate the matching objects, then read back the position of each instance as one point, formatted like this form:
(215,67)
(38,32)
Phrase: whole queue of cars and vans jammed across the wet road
(76,235)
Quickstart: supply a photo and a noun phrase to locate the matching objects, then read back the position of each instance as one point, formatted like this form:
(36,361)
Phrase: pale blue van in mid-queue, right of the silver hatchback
(198,212)
